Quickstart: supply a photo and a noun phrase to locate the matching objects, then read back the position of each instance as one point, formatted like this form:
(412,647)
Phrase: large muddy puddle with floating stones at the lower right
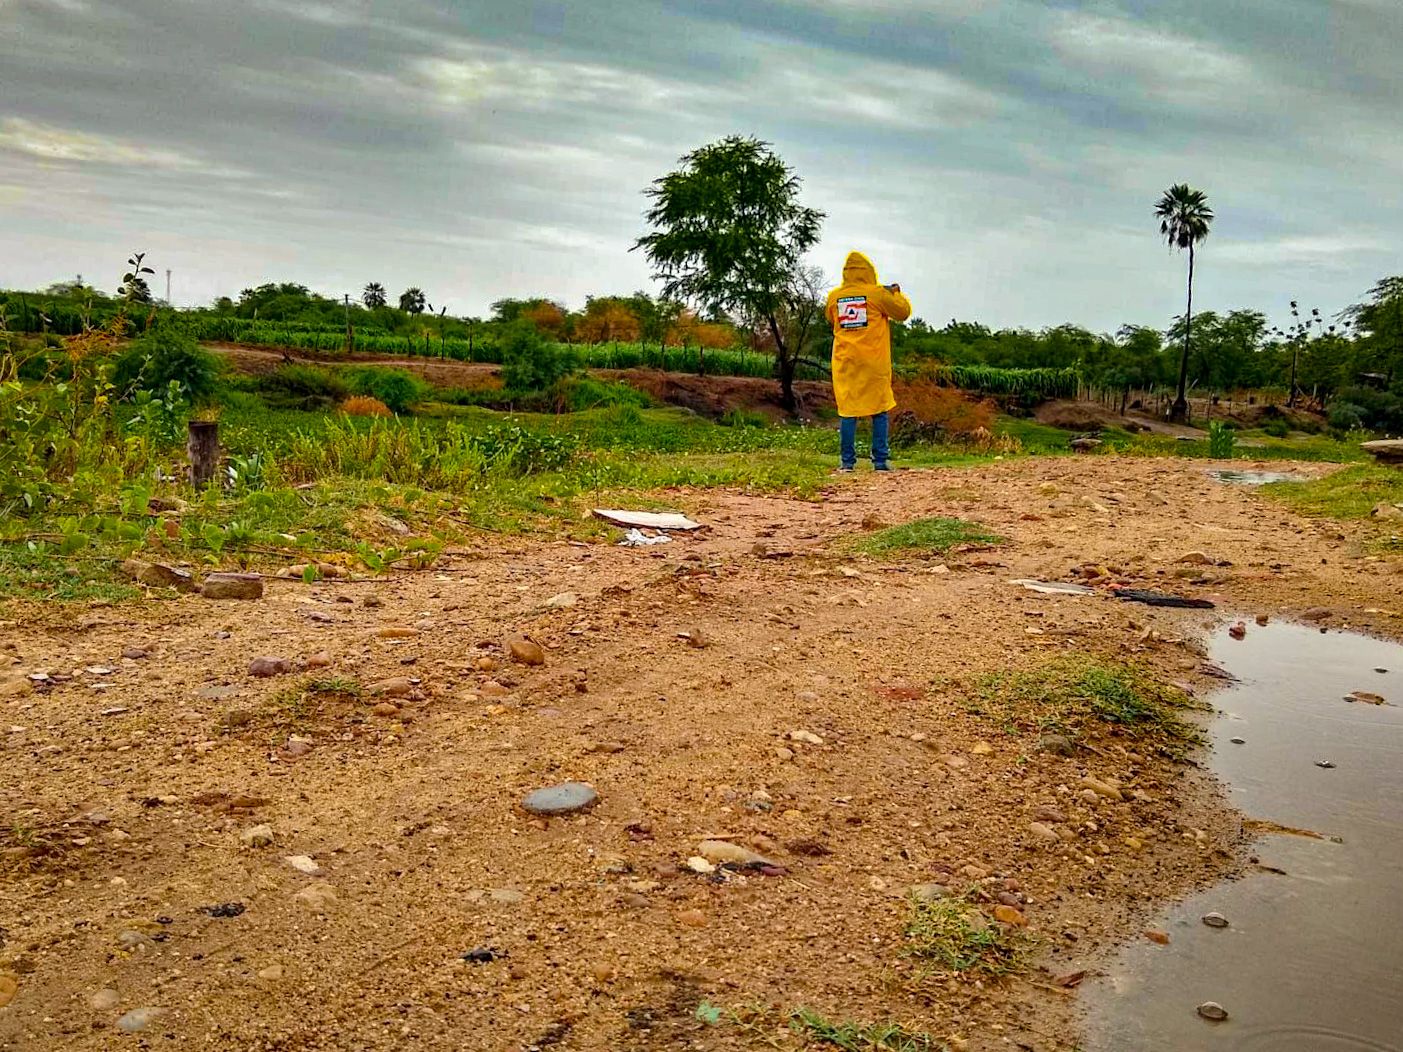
(1313,956)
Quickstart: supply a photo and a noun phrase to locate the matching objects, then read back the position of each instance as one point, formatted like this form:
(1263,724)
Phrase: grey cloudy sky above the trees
(1000,158)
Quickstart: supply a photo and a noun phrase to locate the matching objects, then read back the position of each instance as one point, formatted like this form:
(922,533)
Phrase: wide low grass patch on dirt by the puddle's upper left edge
(1074,694)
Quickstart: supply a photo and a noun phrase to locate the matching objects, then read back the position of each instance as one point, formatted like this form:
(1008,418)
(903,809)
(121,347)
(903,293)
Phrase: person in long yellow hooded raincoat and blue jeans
(859,312)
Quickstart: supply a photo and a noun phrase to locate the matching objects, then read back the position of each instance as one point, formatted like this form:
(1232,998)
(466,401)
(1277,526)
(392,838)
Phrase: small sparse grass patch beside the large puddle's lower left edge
(956,936)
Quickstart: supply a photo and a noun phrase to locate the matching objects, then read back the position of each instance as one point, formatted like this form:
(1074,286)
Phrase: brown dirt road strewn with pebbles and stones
(135,785)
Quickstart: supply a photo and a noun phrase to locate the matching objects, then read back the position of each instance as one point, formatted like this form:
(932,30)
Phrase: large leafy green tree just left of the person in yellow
(729,236)
